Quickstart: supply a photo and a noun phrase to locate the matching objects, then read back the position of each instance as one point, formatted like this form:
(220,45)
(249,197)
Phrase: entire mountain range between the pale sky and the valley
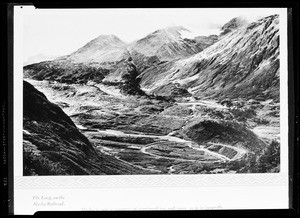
(242,62)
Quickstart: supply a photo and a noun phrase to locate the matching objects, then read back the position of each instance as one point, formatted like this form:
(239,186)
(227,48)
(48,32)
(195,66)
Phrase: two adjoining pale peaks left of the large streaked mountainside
(106,57)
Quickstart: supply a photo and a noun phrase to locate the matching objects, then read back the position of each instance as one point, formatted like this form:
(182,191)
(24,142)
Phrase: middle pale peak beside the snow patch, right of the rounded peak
(164,45)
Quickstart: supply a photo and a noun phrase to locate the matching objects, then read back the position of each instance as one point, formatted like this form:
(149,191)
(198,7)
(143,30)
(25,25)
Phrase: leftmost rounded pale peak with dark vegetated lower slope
(92,62)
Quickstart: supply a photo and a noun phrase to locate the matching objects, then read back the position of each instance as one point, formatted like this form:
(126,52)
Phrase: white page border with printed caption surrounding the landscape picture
(147,192)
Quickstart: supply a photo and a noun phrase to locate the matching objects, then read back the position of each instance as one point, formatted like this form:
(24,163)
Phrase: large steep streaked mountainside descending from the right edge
(243,63)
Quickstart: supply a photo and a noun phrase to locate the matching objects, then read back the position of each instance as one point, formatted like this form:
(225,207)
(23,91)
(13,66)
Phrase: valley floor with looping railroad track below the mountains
(154,135)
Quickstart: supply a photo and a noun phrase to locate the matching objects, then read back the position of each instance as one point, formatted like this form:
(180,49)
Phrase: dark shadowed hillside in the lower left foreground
(53,145)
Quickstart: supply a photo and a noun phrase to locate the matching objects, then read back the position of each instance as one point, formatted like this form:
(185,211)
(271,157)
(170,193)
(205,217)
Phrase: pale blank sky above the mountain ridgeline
(57,32)
